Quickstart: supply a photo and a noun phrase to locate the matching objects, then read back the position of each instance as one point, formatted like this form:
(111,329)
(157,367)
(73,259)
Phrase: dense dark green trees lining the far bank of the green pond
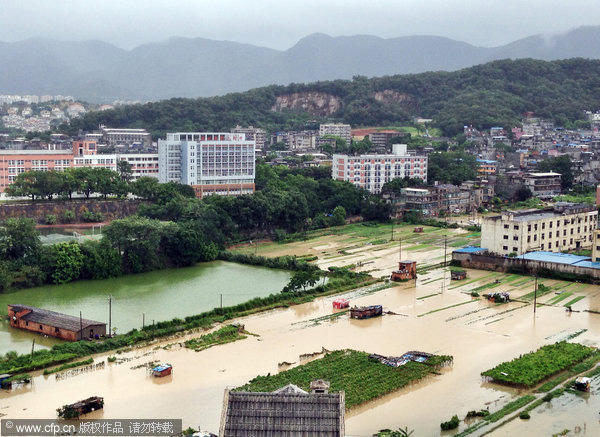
(131,245)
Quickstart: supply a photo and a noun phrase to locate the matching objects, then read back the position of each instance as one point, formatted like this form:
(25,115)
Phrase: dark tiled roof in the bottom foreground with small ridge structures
(288,411)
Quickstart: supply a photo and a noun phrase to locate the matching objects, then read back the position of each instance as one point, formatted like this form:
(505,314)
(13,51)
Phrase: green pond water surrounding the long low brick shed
(154,296)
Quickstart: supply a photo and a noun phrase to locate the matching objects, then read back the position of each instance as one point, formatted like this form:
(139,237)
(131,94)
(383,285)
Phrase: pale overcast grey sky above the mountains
(280,24)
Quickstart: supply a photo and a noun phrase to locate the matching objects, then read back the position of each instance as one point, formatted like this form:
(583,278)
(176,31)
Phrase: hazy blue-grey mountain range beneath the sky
(195,67)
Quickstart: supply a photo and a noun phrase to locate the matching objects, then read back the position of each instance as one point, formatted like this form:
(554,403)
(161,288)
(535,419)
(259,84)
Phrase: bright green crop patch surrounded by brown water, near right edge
(532,368)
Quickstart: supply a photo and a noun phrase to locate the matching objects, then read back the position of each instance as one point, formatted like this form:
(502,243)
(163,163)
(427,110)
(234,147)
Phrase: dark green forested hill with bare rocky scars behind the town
(496,93)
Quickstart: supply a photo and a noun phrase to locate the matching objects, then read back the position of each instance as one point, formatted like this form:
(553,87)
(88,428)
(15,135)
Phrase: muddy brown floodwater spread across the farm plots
(431,314)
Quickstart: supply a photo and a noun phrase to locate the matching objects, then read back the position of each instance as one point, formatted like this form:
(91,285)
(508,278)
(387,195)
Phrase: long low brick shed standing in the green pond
(54,324)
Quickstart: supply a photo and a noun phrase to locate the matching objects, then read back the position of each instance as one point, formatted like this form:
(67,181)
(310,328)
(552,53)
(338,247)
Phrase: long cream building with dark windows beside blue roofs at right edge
(567,226)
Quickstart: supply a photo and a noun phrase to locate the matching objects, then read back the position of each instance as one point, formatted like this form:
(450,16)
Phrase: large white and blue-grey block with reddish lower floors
(212,163)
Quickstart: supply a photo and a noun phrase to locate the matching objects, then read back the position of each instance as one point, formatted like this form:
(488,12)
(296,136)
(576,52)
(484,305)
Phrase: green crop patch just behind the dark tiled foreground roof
(351,371)
